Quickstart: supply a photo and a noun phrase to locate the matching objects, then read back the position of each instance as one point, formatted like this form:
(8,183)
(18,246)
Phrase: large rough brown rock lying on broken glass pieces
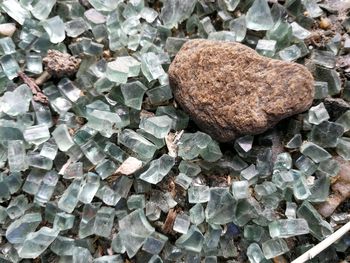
(230,90)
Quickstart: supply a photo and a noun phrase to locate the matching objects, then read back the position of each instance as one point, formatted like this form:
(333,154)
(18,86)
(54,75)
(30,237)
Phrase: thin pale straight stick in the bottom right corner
(313,252)
